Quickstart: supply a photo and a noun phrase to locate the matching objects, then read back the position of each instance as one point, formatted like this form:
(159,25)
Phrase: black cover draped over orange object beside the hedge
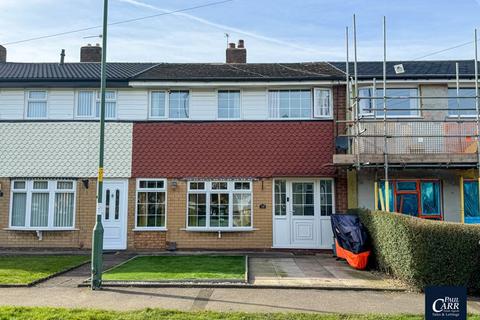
(350,233)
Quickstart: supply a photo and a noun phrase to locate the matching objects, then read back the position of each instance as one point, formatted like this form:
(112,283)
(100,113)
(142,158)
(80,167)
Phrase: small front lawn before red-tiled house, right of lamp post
(152,268)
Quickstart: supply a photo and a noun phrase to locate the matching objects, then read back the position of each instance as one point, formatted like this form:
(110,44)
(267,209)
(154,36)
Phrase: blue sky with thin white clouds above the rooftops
(273,30)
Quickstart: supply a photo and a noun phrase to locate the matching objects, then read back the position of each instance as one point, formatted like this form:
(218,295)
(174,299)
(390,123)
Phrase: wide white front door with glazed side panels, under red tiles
(301,215)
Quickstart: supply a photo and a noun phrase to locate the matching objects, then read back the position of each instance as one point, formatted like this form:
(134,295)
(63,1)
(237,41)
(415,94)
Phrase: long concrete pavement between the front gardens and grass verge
(248,300)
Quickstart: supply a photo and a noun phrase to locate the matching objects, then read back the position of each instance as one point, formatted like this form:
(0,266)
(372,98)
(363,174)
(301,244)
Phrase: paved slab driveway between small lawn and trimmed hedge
(320,270)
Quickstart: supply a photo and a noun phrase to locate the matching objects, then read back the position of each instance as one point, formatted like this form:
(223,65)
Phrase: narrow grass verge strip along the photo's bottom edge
(36,313)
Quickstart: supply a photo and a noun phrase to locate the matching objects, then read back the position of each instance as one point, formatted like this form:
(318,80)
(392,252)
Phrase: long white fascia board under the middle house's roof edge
(216,84)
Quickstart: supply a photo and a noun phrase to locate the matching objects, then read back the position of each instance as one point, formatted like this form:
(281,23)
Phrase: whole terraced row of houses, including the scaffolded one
(230,155)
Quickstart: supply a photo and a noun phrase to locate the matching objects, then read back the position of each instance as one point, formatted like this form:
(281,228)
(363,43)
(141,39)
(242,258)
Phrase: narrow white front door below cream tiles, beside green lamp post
(114,214)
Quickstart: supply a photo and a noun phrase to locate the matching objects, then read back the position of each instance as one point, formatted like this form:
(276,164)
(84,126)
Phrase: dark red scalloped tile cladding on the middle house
(233,149)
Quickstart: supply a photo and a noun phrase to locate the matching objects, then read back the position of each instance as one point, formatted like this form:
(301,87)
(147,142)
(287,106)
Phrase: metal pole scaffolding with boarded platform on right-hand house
(379,140)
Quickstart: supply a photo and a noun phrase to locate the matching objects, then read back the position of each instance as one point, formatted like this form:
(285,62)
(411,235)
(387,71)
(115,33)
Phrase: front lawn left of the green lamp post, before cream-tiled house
(26,269)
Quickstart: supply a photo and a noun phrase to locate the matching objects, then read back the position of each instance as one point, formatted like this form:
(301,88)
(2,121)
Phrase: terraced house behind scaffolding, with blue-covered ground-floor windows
(420,135)
